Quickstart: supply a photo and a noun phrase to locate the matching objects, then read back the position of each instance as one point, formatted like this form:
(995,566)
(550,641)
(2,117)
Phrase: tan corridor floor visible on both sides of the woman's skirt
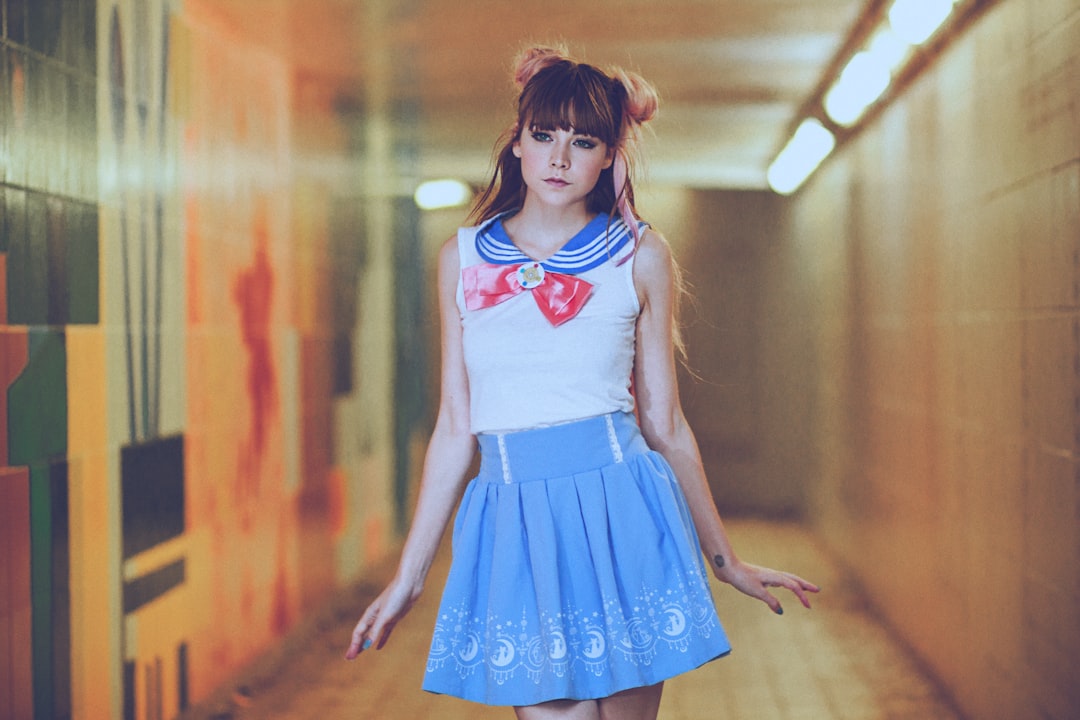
(834,662)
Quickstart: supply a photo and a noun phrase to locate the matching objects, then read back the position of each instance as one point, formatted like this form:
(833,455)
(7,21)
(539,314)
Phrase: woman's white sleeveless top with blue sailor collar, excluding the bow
(524,372)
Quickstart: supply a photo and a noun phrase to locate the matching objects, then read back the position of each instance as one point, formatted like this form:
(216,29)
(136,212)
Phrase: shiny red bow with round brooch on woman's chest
(560,297)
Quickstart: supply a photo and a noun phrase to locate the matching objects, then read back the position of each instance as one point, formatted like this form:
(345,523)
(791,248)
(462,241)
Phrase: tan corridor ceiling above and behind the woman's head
(732,74)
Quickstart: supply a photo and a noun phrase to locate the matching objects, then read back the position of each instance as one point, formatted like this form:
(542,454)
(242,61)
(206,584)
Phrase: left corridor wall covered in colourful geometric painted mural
(181,316)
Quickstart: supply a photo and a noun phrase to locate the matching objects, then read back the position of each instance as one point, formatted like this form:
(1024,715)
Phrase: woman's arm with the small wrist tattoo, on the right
(668,432)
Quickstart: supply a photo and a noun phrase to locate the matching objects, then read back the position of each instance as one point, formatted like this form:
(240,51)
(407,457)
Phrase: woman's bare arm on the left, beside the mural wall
(450,454)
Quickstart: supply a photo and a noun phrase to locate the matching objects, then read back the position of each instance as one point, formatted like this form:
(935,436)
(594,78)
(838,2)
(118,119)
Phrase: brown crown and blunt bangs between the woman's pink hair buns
(569,97)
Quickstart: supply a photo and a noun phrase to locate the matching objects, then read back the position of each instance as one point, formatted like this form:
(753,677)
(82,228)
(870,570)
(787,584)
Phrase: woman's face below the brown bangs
(561,167)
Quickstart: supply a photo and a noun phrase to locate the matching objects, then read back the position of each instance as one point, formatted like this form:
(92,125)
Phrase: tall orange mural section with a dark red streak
(240,323)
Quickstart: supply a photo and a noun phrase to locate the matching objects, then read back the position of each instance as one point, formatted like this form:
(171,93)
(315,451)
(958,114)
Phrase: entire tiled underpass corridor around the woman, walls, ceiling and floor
(220,352)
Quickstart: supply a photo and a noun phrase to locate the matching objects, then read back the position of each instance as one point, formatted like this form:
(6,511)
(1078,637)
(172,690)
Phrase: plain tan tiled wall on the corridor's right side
(938,261)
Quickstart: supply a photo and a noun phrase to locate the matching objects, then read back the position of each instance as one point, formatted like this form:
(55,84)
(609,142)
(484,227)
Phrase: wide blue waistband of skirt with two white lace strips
(559,451)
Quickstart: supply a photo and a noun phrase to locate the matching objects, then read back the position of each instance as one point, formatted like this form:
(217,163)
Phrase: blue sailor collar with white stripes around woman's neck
(603,239)
